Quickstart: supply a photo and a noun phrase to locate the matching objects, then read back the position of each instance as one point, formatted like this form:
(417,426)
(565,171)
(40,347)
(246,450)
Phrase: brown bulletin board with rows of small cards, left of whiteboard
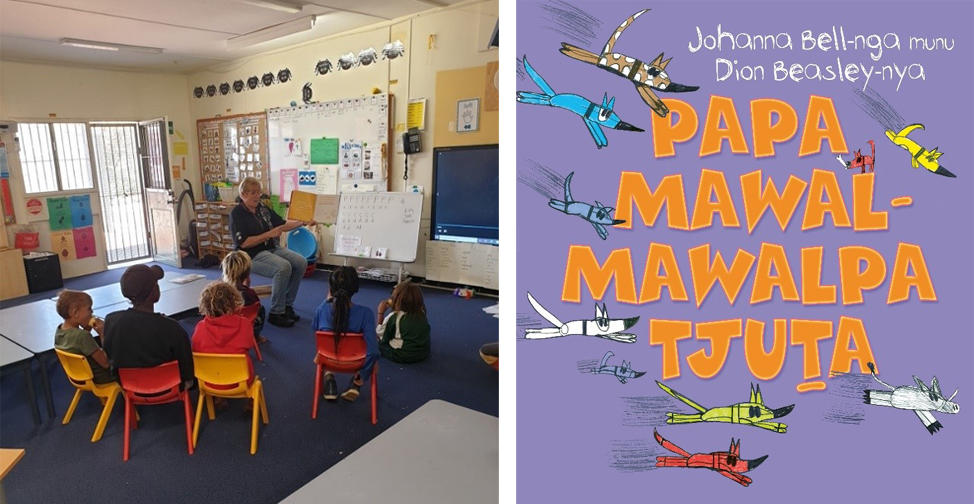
(231,148)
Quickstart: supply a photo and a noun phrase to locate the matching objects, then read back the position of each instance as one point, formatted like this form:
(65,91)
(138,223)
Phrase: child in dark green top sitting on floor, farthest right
(404,336)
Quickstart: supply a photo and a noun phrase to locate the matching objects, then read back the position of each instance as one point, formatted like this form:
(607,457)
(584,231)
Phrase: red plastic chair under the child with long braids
(348,359)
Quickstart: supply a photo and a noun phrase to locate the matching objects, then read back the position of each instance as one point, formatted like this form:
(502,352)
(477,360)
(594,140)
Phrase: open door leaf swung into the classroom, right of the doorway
(154,152)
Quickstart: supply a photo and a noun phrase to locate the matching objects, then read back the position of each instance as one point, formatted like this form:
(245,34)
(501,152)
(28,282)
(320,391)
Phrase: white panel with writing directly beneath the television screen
(470,264)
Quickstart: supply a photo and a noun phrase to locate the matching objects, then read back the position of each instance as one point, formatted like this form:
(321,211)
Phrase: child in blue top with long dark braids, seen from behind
(339,315)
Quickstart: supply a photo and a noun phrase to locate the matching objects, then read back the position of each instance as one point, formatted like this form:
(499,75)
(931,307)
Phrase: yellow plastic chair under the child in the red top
(227,370)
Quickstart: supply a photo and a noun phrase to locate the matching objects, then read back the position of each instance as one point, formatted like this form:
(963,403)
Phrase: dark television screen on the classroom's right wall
(465,194)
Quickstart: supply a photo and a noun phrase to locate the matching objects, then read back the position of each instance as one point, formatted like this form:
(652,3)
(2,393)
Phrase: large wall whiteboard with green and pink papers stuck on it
(333,147)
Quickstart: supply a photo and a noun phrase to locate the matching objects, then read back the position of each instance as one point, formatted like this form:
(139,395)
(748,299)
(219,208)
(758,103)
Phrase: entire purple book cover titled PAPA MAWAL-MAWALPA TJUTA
(744,251)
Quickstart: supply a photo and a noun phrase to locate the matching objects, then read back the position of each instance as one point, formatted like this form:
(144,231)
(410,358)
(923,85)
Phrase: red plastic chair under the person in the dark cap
(155,385)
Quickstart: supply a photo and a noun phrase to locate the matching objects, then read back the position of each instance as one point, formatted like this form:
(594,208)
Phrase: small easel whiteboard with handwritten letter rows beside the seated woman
(378,225)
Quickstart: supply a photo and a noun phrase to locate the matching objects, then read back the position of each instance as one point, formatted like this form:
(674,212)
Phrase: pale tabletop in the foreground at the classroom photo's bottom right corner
(439,453)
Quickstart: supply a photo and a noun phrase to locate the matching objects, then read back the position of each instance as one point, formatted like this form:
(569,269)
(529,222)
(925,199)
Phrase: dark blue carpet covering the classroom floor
(62,465)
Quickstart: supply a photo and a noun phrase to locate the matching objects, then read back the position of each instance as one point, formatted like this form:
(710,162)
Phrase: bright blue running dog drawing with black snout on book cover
(593,115)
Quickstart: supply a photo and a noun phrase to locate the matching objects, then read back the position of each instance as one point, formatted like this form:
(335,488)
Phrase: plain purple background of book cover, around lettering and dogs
(569,422)
